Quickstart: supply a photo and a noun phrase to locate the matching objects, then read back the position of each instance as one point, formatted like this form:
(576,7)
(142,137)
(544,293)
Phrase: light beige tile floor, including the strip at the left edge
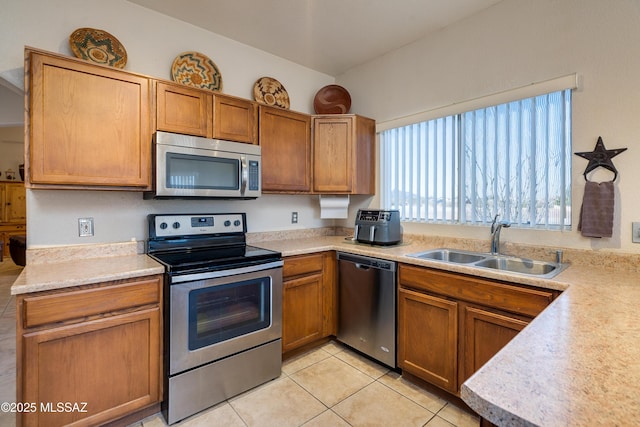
(327,386)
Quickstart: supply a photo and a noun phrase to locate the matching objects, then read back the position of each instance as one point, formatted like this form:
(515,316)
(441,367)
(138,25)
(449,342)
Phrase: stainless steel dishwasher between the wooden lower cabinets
(367,306)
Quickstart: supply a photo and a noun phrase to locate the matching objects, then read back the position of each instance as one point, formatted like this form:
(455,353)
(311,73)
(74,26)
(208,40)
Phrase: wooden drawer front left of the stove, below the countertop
(69,305)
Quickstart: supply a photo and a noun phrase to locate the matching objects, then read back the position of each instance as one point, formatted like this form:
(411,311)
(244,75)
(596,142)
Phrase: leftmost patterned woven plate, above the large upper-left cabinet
(98,46)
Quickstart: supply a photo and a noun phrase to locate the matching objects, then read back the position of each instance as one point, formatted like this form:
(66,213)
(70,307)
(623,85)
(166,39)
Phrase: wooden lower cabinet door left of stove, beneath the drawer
(111,364)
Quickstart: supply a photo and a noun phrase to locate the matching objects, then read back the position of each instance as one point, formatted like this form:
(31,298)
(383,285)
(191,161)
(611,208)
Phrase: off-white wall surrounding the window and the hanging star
(512,44)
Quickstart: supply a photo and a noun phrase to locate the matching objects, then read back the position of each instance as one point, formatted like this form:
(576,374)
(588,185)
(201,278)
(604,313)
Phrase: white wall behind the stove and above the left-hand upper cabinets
(152,41)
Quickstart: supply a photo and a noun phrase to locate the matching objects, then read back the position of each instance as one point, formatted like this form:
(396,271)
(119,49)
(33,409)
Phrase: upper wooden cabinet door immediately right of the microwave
(285,138)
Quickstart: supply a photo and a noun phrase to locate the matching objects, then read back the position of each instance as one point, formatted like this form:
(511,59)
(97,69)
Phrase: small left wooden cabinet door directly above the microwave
(182,109)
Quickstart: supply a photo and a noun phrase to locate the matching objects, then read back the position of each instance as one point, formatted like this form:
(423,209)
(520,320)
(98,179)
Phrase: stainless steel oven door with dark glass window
(216,317)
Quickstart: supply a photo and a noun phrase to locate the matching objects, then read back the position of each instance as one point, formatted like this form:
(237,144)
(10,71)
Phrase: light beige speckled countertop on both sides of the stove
(576,364)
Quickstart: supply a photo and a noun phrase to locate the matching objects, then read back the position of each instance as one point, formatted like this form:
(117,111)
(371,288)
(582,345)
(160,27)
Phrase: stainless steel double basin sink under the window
(523,266)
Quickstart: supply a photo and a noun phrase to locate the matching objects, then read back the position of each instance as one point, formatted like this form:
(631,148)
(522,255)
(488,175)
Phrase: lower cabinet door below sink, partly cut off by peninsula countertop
(485,334)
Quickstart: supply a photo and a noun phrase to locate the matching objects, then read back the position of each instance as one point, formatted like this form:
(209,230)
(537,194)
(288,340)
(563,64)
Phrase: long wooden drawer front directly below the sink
(502,296)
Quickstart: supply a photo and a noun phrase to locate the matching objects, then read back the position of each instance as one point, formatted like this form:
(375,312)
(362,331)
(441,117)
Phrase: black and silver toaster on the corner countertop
(378,227)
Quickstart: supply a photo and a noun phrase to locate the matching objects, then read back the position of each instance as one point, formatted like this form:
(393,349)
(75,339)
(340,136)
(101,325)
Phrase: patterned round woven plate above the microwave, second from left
(196,69)
